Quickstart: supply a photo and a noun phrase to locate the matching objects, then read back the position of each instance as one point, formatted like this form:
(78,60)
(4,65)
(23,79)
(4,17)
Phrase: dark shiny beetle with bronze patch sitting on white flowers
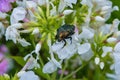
(65,32)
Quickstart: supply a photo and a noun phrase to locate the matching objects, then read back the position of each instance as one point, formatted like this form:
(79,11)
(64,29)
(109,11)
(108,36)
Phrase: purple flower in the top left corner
(5,5)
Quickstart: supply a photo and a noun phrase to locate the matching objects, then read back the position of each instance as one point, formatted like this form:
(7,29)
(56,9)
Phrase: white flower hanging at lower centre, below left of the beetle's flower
(51,66)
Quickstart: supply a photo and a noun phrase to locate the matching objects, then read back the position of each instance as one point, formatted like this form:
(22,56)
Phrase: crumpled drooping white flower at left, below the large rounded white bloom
(12,33)
